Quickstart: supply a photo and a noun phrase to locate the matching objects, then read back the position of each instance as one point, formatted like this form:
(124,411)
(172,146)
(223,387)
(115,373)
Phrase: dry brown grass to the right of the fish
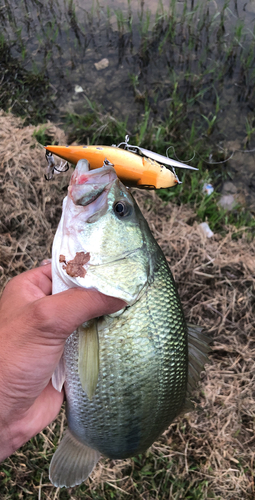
(216,281)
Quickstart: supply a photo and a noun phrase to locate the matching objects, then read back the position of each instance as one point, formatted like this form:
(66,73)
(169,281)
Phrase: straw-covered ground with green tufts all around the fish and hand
(205,454)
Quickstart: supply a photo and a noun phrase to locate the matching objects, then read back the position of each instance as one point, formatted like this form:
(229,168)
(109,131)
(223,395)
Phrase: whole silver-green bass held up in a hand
(126,375)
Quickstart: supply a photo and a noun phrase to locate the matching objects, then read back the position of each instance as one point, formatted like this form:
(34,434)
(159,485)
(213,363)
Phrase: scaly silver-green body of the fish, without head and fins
(140,384)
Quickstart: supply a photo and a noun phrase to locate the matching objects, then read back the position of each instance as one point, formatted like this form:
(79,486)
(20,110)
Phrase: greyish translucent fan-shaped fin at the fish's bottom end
(72,463)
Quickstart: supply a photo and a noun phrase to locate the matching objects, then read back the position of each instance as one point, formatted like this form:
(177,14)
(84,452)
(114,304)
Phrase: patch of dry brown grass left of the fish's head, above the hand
(30,207)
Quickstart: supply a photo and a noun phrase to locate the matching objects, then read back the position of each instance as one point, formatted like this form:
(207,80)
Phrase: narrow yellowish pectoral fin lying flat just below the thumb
(88,362)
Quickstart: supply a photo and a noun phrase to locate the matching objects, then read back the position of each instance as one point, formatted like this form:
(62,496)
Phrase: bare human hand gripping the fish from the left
(33,329)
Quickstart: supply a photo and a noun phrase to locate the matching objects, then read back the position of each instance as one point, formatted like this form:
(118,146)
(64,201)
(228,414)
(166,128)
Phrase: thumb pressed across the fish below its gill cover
(59,315)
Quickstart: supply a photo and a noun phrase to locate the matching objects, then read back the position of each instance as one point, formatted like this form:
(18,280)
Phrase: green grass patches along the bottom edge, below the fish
(149,474)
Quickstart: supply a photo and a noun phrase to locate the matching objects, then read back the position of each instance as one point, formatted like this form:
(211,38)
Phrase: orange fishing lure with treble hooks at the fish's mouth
(135,166)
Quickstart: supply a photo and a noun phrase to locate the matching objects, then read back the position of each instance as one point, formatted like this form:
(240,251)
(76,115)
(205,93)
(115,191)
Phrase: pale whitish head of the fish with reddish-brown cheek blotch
(84,253)
